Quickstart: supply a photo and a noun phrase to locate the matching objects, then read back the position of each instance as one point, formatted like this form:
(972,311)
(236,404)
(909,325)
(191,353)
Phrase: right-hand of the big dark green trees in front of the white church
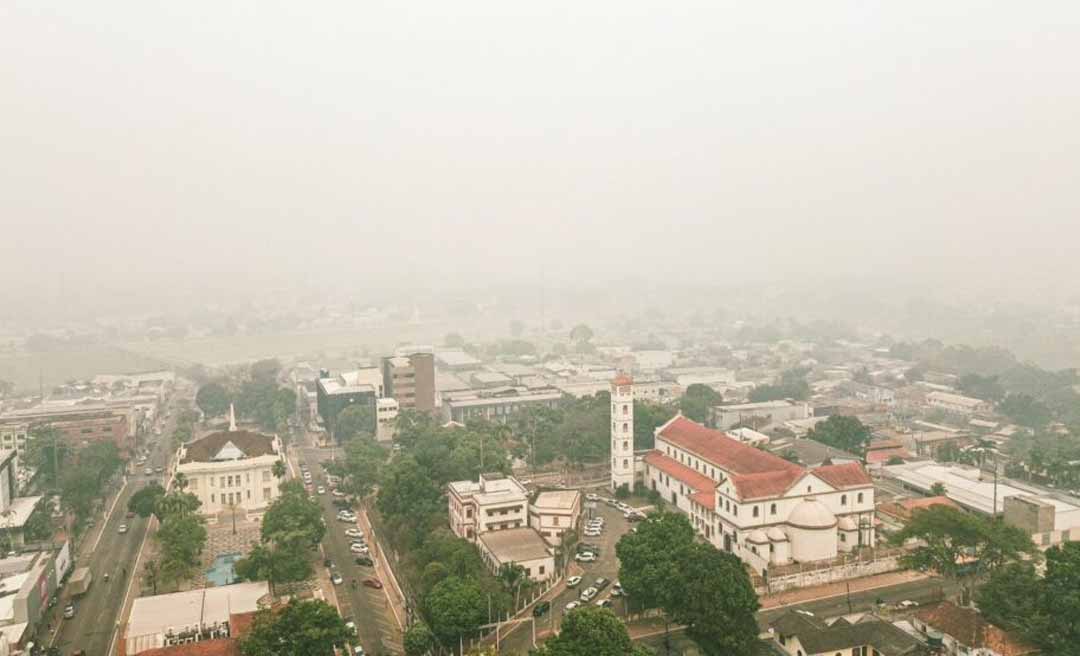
(717,601)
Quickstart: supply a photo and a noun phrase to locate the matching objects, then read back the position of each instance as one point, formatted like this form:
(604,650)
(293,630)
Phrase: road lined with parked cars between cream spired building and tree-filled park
(369,608)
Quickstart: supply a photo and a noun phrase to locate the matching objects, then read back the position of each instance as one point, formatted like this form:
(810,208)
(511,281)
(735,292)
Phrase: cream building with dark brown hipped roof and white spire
(232,471)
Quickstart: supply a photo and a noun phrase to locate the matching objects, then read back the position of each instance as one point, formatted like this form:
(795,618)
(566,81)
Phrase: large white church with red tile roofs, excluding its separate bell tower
(761,507)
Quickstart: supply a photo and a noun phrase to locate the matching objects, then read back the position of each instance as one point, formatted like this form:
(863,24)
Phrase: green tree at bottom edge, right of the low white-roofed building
(312,627)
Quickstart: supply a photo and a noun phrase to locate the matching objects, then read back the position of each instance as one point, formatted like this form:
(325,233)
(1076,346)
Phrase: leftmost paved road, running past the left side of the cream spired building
(99,611)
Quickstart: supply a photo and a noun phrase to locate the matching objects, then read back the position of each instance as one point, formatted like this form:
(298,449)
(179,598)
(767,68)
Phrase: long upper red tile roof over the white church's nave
(719,449)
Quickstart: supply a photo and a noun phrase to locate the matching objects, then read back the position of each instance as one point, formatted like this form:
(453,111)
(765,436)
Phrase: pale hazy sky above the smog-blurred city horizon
(441,141)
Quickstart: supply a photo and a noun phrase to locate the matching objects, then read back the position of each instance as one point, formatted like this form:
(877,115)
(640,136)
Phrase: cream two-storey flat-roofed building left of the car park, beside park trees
(495,503)
